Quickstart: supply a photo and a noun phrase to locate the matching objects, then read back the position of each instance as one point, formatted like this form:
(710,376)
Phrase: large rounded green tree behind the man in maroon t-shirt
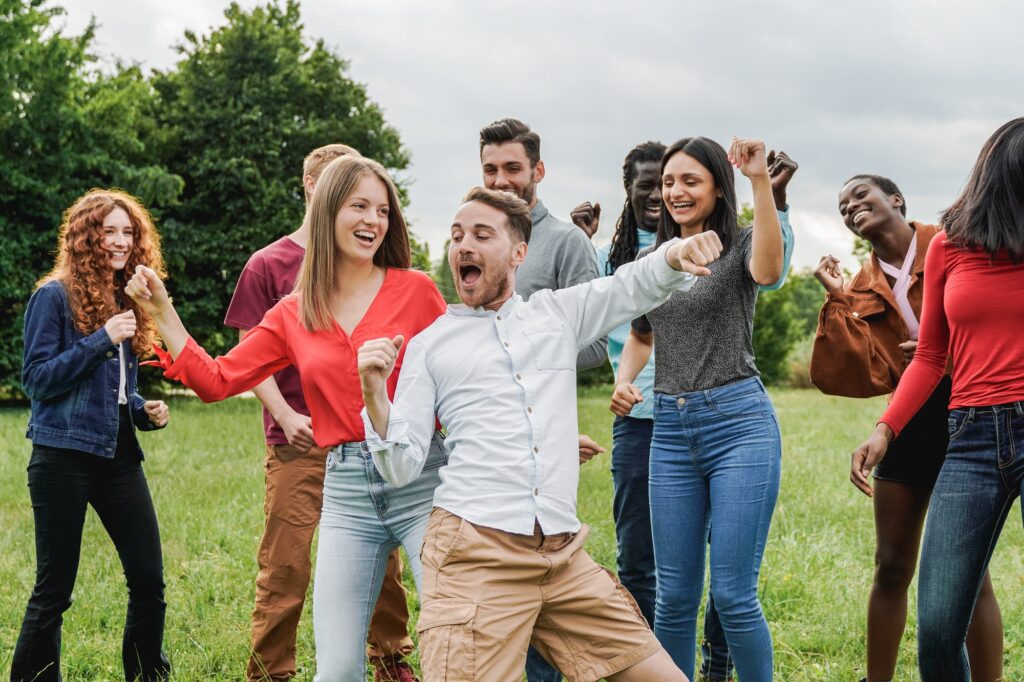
(237,116)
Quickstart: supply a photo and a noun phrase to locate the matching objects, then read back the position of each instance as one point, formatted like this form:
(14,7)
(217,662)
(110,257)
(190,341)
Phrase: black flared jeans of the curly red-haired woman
(63,484)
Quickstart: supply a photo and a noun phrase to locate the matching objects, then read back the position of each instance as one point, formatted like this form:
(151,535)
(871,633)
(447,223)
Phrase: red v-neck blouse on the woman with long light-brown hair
(407,304)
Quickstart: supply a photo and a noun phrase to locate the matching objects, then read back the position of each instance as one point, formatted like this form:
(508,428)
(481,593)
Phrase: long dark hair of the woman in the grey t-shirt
(722,221)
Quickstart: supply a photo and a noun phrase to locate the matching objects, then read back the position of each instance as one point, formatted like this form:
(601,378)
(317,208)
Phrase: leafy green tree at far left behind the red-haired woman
(65,129)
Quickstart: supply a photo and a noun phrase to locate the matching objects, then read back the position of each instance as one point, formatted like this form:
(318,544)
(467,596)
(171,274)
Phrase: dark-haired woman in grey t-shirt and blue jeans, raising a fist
(716,449)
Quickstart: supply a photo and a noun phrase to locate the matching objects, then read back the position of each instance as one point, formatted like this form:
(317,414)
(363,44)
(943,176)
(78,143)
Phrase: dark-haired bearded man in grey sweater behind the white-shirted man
(561,255)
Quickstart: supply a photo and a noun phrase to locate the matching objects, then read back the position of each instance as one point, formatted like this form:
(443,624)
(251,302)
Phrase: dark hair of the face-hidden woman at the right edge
(990,215)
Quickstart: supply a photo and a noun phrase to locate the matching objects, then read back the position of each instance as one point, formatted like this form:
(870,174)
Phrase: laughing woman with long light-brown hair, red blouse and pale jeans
(355,286)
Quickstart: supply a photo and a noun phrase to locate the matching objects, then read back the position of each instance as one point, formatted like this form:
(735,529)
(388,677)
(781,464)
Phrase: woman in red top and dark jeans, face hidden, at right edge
(974,313)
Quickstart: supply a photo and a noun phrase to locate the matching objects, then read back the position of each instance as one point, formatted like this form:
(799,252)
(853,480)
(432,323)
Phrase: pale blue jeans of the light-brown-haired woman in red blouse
(364,520)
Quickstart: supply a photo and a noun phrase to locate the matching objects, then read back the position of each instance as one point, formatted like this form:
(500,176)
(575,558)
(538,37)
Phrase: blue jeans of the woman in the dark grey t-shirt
(715,459)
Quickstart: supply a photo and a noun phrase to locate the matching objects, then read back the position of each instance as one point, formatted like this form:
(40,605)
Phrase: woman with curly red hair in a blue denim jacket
(82,339)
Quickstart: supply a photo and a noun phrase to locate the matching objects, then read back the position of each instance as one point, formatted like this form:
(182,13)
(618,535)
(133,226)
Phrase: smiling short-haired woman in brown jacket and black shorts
(868,332)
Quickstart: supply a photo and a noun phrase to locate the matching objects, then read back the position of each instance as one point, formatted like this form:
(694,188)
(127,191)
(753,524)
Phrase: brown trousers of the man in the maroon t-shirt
(292,507)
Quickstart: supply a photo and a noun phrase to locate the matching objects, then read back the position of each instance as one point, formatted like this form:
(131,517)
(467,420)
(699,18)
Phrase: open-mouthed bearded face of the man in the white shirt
(484,257)
